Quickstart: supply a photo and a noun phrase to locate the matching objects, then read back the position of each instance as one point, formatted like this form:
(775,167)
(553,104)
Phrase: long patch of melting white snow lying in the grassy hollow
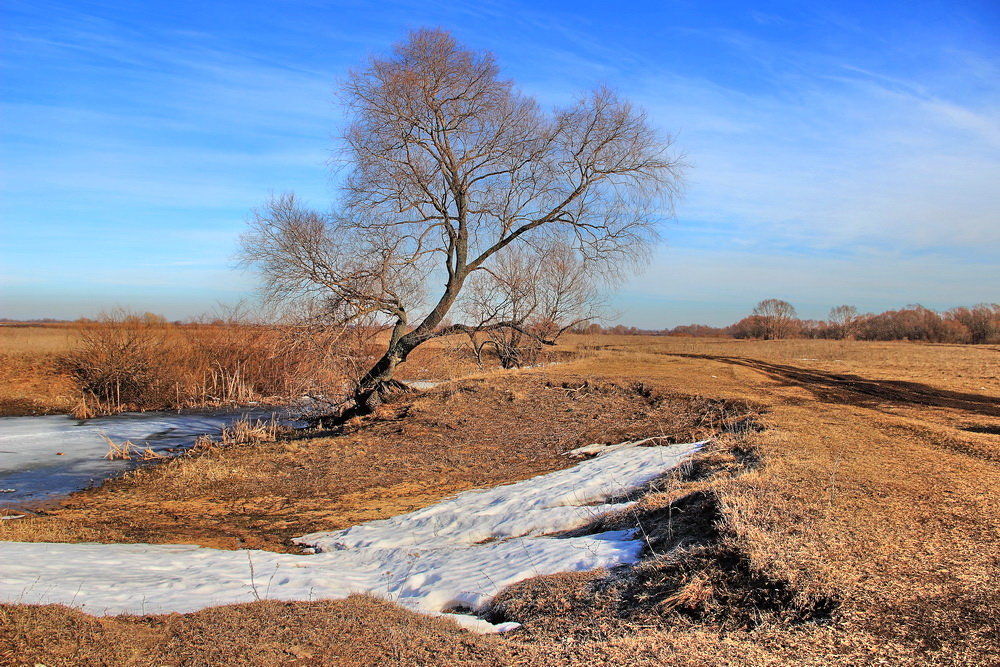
(456,554)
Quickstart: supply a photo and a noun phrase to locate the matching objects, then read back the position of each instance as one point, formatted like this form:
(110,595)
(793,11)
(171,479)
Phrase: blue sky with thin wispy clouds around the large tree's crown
(841,152)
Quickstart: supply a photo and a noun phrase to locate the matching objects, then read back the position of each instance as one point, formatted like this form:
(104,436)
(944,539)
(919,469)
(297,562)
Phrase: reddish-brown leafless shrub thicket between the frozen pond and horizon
(129,362)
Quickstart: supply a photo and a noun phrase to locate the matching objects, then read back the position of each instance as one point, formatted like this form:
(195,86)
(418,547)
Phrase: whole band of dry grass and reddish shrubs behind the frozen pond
(130,362)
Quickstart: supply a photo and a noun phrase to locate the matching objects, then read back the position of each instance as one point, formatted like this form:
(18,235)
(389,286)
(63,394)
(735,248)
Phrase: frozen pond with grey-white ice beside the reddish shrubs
(45,457)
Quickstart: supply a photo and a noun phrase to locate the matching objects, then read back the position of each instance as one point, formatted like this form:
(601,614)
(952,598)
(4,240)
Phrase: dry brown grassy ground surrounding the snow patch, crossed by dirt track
(846,512)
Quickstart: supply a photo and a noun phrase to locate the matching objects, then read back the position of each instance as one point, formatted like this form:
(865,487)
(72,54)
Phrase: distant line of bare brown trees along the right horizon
(774,319)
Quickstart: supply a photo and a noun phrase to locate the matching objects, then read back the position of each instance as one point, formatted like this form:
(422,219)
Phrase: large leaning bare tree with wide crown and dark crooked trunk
(449,167)
